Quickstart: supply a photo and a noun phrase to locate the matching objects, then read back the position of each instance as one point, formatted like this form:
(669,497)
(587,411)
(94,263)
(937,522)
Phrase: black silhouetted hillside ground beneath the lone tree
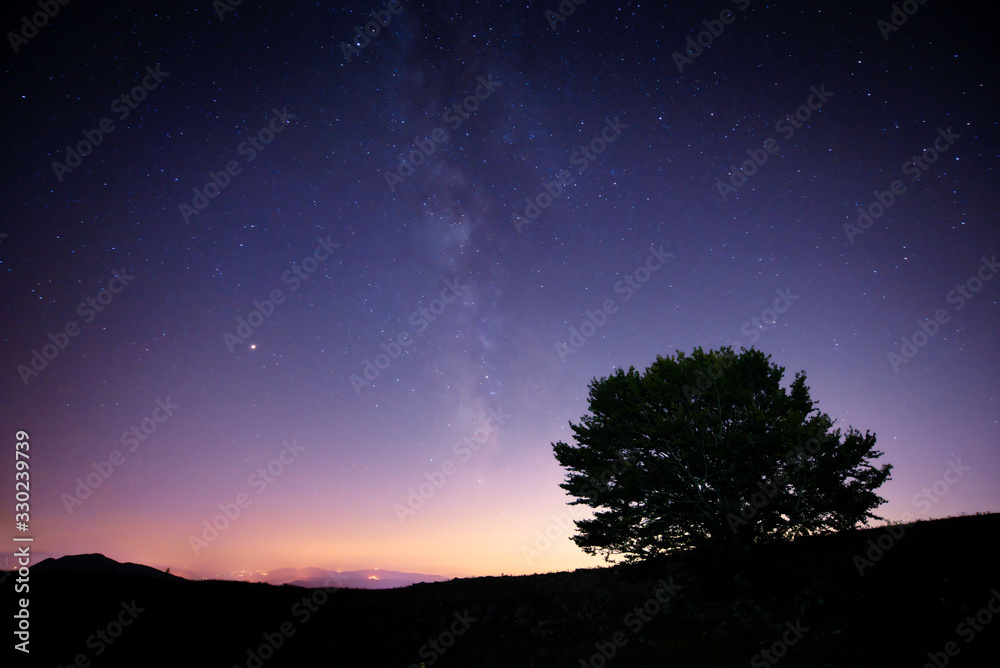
(805,601)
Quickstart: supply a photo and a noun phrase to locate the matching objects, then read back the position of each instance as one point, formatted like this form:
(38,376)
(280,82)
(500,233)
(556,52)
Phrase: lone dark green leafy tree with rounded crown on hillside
(709,450)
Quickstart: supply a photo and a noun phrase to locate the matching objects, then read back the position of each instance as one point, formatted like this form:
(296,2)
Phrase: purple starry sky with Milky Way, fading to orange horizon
(348,288)
